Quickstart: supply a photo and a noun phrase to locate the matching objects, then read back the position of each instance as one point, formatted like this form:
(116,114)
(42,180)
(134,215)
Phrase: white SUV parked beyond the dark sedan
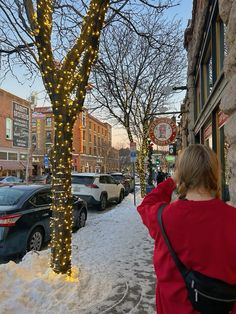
(97,189)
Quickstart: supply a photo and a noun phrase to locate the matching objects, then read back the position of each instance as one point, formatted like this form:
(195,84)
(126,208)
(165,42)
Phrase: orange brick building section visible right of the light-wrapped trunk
(92,145)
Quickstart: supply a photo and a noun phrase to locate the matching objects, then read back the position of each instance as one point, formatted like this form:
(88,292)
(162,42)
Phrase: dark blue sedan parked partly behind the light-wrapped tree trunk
(25,215)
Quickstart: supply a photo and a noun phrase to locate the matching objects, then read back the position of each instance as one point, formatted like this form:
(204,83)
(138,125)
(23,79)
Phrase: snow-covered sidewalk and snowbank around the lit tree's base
(112,271)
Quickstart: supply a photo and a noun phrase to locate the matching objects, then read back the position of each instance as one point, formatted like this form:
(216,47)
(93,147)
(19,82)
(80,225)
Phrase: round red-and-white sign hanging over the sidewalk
(162,131)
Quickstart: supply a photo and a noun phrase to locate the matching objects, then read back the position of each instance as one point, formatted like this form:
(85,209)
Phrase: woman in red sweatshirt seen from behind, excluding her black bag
(200,227)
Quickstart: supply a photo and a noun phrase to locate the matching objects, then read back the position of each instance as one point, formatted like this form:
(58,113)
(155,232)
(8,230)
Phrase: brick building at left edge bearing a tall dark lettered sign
(15,134)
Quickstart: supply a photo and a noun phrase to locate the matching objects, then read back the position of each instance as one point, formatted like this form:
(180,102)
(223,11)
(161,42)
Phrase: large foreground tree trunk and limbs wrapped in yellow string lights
(60,81)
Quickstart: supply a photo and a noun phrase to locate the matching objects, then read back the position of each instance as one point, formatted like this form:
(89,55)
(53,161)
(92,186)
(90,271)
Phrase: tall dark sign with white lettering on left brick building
(20,125)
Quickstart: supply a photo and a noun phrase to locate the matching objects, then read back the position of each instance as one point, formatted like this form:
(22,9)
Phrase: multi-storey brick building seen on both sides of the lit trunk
(92,144)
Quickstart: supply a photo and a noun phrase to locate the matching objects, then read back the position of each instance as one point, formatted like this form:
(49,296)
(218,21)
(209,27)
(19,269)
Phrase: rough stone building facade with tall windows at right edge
(209,109)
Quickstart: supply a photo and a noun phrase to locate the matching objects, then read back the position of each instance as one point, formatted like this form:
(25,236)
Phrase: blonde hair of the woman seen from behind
(198,167)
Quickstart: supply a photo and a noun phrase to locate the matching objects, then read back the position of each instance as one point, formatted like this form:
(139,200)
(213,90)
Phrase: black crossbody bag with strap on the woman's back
(207,295)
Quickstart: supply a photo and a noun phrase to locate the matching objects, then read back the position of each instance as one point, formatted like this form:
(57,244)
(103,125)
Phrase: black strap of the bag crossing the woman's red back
(178,262)
